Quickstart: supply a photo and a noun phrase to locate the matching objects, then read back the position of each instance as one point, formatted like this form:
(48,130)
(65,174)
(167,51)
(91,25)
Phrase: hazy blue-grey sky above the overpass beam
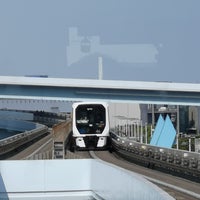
(34,37)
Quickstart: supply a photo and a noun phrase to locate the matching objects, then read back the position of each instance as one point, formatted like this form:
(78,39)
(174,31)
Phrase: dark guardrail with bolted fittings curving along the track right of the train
(179,162)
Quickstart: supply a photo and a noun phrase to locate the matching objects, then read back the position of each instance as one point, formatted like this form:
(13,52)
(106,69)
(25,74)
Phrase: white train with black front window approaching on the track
(90,125)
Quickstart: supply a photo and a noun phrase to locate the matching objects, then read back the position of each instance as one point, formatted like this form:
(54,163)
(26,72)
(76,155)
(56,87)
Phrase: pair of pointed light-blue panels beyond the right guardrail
(164,134)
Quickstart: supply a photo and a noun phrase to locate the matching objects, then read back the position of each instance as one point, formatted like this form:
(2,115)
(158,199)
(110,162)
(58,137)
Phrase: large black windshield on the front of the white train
(90,119)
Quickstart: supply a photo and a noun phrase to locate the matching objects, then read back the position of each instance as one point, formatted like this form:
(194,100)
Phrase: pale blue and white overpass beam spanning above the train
(91,89)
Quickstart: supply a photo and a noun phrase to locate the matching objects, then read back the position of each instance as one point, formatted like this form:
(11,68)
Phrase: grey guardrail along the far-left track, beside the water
(13,142)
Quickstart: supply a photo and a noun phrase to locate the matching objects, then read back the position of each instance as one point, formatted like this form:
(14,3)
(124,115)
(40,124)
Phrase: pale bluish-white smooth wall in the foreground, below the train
(18,178)
